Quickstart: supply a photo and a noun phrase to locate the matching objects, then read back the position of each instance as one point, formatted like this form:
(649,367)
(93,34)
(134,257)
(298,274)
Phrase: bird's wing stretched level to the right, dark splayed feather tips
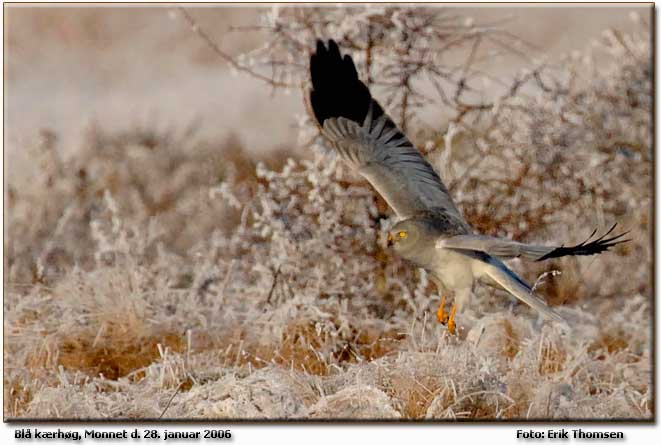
(506,249)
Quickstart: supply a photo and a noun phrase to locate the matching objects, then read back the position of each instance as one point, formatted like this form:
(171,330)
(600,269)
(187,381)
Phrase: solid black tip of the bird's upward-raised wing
(336,89)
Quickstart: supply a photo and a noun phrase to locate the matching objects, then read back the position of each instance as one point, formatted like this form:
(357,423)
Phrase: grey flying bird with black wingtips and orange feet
(431,232)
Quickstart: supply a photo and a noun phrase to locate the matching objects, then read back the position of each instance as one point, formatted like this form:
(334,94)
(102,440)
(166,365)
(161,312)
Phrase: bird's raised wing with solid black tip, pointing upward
(365,137)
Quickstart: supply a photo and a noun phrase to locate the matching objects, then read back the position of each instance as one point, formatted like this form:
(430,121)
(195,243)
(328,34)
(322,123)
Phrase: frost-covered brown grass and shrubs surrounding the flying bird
(159,273)
